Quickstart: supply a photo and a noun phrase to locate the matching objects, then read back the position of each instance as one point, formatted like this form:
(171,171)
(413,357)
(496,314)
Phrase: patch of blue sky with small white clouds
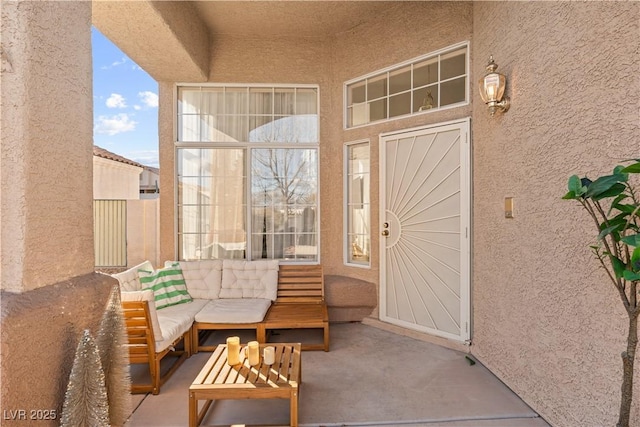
(125,104)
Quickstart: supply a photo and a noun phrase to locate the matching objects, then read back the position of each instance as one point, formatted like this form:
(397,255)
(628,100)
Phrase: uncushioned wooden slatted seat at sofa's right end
(300,304)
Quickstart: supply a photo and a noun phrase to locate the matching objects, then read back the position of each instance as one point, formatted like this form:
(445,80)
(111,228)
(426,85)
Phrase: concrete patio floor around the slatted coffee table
(371,377)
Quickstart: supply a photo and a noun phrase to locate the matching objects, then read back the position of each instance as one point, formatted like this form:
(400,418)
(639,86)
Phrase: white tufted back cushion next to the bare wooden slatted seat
(249,279)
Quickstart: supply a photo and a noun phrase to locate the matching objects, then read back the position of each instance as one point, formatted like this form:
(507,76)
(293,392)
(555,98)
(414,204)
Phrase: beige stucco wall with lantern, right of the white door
(547,320)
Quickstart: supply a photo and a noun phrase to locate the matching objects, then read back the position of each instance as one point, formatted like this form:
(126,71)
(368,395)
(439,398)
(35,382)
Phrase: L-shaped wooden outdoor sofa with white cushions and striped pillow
(167,310)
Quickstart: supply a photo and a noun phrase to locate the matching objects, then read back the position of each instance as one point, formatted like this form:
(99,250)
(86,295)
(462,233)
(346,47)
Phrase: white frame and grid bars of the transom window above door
(386,72)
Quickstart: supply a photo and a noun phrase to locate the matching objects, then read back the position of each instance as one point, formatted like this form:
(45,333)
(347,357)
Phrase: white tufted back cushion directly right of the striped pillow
(203,278)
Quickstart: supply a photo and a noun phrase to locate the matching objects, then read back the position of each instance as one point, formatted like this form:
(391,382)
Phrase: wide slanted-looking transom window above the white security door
(430,82)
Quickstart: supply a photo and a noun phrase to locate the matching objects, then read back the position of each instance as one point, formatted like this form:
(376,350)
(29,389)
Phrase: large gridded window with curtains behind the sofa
(247,172)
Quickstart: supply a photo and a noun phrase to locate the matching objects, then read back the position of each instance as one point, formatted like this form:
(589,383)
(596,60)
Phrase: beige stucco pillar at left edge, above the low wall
(47,136)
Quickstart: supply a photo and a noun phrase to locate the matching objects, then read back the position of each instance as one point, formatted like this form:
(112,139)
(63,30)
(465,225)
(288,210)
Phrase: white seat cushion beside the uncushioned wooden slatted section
(234,310)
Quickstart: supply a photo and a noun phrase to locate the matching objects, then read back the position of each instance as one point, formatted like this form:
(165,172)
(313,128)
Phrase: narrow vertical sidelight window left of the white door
(358,205)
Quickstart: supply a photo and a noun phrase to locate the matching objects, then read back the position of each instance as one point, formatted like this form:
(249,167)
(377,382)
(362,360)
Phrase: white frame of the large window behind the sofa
(247,149)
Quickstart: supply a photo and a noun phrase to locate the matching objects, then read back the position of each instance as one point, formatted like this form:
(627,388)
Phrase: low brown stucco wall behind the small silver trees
(40,333)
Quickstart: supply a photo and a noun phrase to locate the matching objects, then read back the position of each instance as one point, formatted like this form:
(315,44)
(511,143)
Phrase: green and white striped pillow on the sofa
(167,284)
